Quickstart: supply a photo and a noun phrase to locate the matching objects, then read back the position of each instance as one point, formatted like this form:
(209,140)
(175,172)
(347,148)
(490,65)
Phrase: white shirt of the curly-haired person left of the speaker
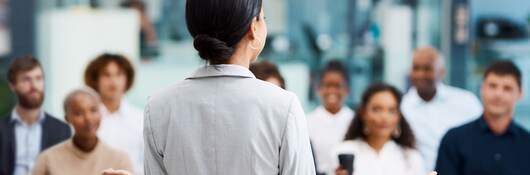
(123,130)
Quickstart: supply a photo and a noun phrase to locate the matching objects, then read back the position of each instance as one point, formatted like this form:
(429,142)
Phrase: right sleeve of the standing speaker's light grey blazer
(295,150)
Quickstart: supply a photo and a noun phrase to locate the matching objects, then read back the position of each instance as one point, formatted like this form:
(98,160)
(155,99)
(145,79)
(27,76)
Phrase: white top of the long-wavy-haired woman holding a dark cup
(392,159)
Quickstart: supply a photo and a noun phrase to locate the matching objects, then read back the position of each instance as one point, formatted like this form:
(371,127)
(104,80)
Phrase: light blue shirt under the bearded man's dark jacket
(28,143)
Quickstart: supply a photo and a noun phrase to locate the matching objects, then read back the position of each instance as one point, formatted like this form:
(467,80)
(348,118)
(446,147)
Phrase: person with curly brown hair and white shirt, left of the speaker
(122,124)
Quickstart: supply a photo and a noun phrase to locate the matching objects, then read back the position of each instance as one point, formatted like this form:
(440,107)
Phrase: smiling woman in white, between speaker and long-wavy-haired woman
(329,122)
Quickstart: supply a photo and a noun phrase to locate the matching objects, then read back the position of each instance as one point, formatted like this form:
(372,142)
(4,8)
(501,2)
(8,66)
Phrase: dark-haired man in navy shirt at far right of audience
(492,144)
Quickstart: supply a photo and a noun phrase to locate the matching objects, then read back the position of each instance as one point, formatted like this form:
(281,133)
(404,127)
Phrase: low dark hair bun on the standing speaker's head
(212,49)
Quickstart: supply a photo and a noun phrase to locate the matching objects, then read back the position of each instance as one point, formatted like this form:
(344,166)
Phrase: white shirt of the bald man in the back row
(430,121)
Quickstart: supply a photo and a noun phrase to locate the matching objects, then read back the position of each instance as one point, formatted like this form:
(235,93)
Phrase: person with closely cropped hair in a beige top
(84,153)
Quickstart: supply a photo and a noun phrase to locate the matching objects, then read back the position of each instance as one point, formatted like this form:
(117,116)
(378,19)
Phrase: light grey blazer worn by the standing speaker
(224,121)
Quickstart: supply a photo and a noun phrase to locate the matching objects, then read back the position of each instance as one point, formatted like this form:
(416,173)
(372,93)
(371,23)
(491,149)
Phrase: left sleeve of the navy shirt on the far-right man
(448,161)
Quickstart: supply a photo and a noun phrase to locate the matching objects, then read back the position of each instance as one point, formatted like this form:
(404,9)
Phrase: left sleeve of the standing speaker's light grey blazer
(153,160)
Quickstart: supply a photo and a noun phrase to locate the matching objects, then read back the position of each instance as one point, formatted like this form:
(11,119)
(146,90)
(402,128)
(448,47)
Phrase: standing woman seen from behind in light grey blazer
(222,120)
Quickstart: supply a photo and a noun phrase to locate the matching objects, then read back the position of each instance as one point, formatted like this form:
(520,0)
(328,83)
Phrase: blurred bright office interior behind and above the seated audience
(374,37)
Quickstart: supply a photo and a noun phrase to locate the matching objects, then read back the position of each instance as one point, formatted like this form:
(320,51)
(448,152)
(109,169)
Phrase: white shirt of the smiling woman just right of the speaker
(327,130)
